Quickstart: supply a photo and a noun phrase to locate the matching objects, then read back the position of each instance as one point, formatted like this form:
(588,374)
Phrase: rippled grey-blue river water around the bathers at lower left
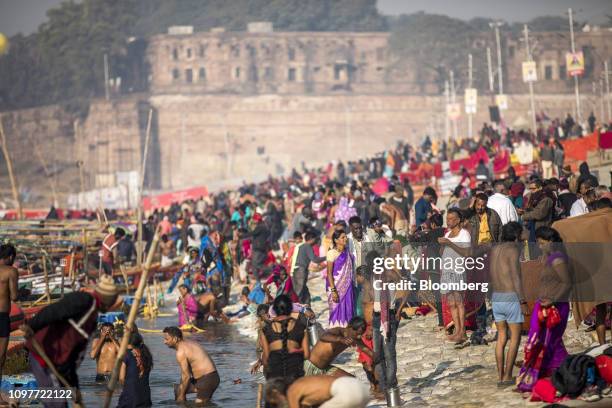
(231,352)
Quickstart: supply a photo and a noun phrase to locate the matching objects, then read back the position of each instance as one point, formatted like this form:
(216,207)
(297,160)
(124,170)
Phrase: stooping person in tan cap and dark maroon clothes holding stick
(57,336)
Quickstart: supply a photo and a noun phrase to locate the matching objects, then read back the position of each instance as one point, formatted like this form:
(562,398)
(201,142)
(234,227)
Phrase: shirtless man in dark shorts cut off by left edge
(8,292)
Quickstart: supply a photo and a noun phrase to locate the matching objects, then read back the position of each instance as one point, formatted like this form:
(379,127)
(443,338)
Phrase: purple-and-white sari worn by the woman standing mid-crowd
(342,312)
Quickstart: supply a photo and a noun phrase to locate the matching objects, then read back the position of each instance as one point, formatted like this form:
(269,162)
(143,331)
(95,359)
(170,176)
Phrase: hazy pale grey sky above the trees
(25,15)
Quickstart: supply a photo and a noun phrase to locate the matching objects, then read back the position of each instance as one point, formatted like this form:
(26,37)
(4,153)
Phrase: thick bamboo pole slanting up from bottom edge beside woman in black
(130,322)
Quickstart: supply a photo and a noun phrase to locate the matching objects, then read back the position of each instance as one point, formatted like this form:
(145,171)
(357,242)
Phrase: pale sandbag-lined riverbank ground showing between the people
(431,373)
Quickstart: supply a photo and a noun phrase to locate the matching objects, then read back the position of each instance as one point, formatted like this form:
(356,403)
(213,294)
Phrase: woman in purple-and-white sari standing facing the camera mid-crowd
(340,271)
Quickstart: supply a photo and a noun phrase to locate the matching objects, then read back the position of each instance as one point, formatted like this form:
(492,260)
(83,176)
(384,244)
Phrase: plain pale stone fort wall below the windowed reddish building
(211,139)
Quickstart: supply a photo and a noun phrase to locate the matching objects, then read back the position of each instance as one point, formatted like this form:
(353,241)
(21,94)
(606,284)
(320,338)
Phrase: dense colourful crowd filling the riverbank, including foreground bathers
(270,240)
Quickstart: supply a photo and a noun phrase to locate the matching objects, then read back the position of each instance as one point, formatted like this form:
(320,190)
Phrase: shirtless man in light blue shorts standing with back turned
(508,299)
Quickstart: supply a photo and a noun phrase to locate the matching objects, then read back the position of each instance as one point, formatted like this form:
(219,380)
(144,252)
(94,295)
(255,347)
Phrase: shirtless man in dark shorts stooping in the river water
(198,371)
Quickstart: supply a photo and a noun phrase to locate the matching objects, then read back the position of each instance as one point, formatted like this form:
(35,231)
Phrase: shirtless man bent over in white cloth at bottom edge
(317,391)
